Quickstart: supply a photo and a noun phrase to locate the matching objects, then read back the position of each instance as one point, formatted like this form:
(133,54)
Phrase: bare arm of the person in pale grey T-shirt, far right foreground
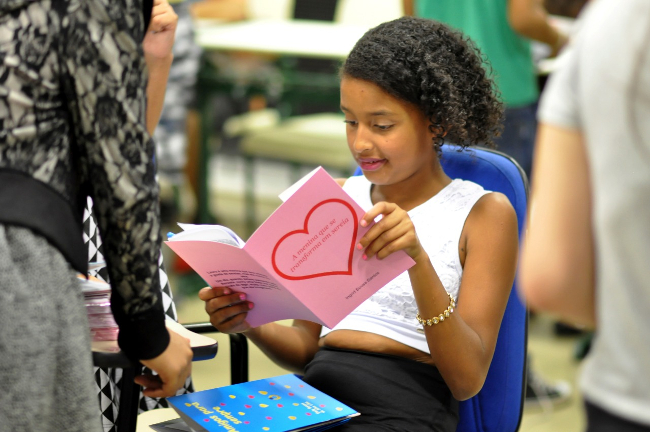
(557,260)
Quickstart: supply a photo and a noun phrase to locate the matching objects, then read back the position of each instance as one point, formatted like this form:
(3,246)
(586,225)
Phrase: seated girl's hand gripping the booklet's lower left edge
(227,309)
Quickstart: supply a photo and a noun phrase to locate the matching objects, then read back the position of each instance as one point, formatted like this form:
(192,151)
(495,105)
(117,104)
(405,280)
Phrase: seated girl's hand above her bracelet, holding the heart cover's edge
(395,231)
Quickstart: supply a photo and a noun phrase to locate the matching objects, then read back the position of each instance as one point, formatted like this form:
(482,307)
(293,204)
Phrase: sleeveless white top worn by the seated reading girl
(391,311)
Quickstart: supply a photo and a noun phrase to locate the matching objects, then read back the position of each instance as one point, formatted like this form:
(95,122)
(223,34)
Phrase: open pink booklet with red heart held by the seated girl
(301,263)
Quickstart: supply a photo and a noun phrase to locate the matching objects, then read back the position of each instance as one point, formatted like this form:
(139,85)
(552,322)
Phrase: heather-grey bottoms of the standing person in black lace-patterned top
(45,360)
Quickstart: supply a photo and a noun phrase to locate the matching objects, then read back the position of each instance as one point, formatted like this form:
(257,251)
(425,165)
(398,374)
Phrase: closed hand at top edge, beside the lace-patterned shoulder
(159,39)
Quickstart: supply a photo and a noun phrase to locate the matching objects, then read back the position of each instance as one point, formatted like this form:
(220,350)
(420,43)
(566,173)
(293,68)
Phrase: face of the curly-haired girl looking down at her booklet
(389,138)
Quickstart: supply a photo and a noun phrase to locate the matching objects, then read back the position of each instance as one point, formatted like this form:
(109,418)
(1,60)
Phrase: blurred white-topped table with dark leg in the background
(281,38)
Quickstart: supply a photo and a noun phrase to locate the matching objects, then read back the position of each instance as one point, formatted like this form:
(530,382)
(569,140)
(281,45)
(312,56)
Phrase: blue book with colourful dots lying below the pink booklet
(279,404)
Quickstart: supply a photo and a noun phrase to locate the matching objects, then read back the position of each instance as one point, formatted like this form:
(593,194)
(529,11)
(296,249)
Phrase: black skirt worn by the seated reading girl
(391,393)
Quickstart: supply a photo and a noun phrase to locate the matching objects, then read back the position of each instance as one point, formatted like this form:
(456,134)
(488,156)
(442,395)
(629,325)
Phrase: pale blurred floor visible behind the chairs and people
(552,356)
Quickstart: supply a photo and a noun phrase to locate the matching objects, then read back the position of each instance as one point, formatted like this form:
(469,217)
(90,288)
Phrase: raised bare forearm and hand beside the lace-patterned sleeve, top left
(157,46)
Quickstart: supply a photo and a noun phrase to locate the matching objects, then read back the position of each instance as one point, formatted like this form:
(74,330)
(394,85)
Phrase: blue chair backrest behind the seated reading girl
(498,406)
